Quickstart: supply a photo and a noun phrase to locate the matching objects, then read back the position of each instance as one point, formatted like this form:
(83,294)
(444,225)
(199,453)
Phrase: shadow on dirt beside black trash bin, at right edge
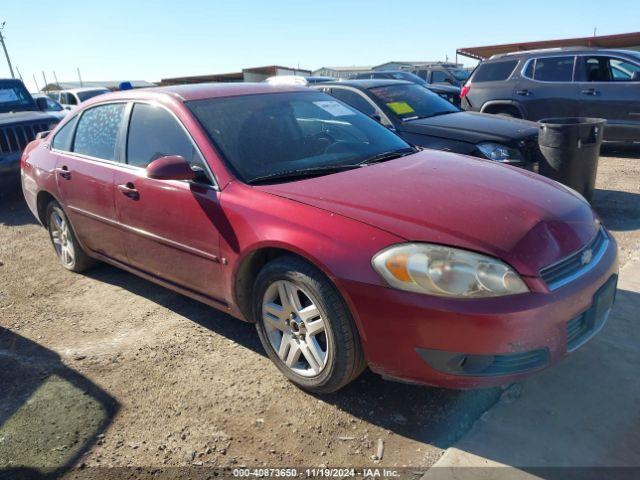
(620,211)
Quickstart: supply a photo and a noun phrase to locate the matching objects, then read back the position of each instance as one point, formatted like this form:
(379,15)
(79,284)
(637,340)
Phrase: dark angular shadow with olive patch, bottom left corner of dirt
(50,415)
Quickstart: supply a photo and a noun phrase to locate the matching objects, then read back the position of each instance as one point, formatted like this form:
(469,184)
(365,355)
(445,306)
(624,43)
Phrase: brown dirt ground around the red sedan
(106,369)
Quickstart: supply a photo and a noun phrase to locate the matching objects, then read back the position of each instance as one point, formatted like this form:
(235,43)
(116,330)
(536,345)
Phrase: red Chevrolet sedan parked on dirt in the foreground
(346,246)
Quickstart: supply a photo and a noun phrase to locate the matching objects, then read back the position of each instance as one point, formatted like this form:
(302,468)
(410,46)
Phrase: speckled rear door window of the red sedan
(97,132)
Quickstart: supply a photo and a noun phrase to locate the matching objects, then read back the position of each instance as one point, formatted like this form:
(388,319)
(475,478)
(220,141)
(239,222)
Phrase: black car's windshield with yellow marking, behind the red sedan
(411,101)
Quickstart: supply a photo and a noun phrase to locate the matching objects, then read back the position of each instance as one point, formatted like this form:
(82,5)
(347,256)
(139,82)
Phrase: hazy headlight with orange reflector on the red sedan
(446,271)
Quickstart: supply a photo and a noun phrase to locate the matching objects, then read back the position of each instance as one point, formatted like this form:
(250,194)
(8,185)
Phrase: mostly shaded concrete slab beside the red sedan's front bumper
(578,420)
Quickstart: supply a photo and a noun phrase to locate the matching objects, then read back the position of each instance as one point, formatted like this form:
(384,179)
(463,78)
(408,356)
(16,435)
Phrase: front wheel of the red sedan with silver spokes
(325,360)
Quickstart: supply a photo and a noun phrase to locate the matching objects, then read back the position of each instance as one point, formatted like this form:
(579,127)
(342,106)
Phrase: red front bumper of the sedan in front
(478,342)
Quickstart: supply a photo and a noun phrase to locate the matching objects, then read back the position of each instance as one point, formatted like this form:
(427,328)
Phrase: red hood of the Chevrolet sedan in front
(439,197)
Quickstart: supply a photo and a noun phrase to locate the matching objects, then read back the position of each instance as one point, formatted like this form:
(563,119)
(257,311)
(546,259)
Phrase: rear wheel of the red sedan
(64,241)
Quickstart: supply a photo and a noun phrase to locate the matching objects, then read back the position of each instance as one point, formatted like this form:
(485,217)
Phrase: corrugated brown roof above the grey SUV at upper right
(623,40)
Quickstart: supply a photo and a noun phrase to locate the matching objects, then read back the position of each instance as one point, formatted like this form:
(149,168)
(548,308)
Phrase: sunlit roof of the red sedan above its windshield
(198,91)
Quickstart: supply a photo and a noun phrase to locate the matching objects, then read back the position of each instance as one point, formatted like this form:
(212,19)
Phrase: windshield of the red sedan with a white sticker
(276,135)
